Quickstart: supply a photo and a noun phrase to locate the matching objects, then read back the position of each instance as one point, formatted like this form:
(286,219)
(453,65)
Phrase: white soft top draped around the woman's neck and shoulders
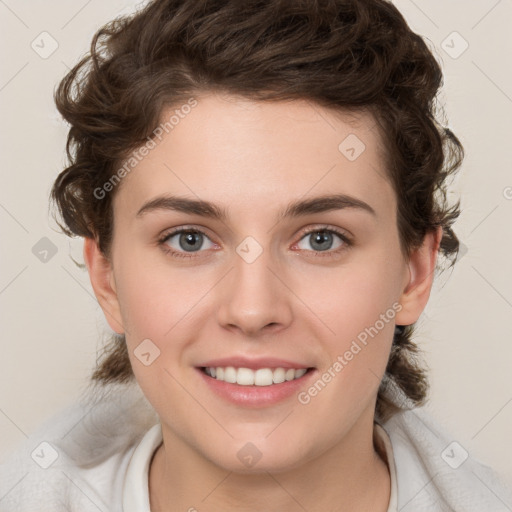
(94,456)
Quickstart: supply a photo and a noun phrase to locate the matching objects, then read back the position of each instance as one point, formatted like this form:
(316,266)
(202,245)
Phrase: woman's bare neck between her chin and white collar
(351,476)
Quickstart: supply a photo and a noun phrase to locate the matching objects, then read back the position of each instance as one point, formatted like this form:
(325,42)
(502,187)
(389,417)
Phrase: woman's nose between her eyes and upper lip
(253,299)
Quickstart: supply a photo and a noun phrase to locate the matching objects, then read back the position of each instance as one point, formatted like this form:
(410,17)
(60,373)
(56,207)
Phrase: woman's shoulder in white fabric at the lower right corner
(437,473)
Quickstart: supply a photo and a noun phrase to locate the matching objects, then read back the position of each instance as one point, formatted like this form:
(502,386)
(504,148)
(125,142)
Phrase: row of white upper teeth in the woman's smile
(260,377)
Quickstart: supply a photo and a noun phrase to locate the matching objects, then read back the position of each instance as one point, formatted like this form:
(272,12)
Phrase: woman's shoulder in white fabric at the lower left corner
(77,459)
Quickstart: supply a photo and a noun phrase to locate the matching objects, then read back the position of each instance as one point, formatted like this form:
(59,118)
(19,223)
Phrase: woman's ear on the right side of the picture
(417,289)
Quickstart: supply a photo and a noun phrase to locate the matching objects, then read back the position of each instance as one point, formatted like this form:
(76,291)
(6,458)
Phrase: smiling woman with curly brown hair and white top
(261,187)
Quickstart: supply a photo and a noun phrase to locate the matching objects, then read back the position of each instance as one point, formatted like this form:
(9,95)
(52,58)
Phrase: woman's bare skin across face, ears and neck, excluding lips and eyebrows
(294,302)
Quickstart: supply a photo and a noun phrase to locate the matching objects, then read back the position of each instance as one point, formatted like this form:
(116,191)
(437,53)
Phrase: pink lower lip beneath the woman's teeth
(256,396)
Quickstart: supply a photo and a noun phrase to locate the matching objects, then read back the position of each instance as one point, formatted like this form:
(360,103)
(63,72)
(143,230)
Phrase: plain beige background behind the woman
(52,325)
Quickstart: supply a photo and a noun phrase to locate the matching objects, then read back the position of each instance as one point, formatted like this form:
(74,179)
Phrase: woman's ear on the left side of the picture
(102,280)
